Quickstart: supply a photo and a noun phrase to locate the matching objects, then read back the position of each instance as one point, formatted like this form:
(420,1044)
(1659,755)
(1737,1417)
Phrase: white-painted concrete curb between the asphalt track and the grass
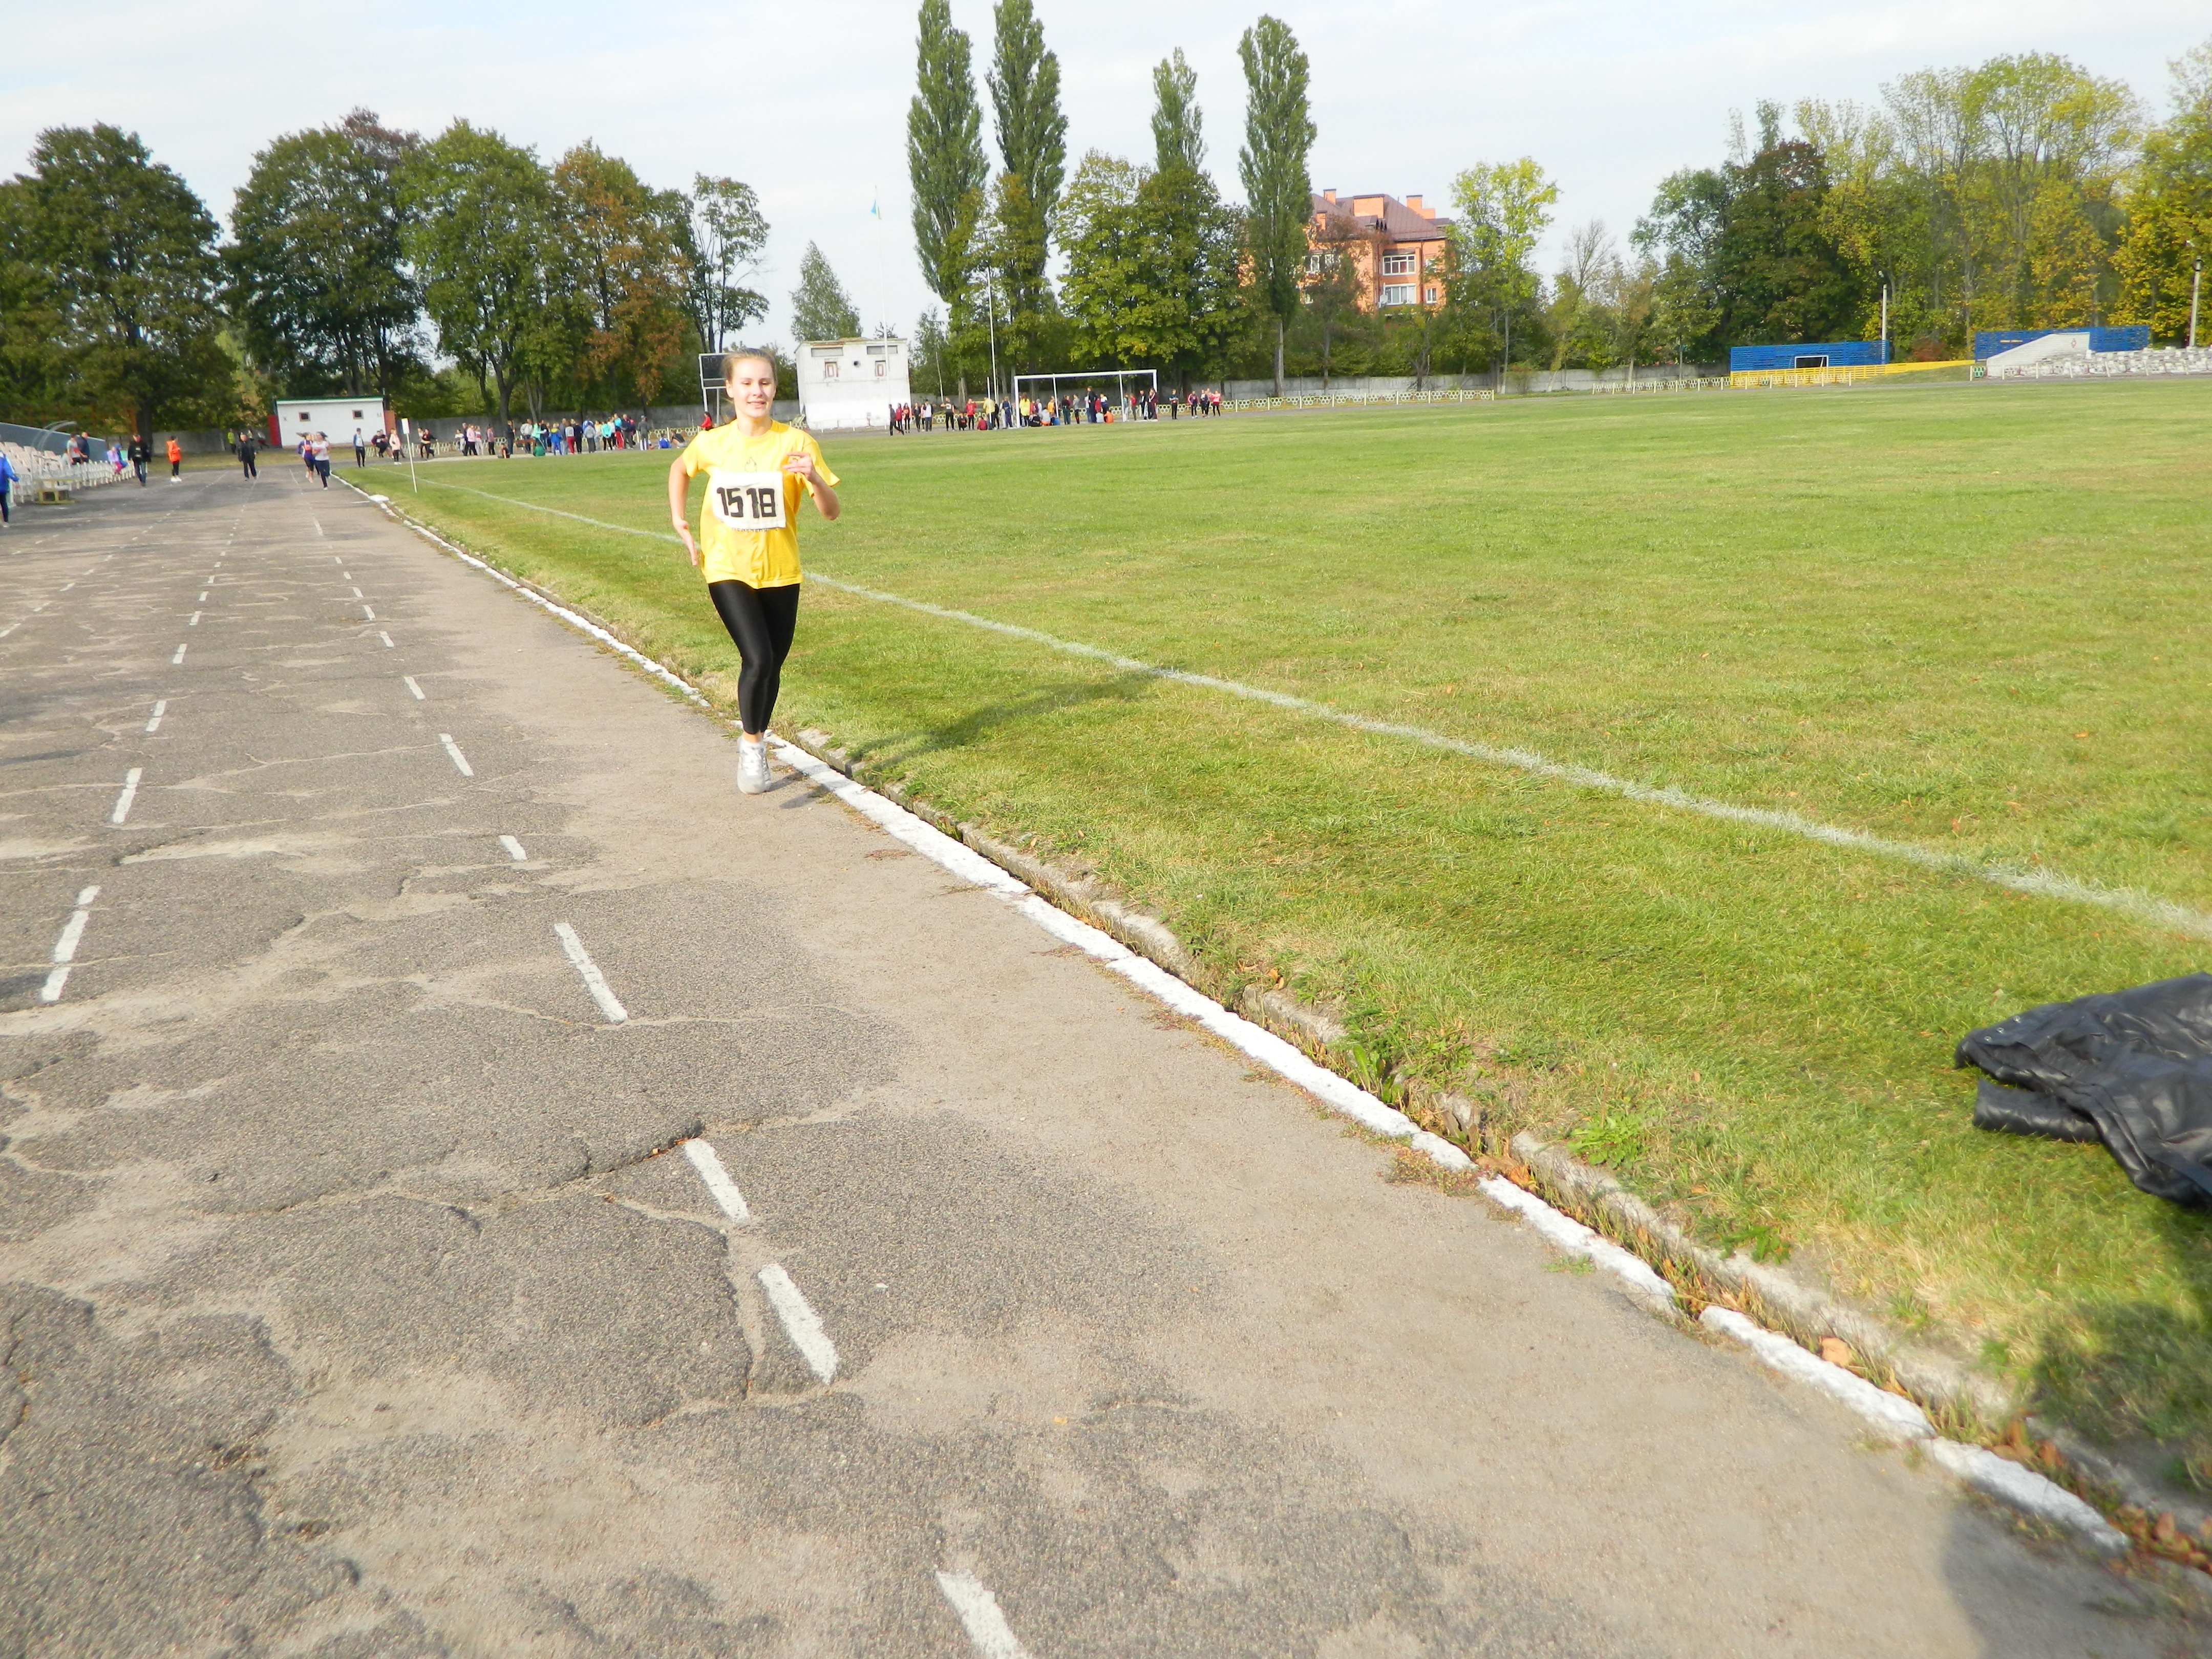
(1892,1417)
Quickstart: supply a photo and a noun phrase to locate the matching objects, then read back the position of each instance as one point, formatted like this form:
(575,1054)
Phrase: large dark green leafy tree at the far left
(129,267)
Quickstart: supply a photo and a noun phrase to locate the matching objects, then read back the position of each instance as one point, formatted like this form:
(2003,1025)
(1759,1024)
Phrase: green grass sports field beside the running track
(1970,618)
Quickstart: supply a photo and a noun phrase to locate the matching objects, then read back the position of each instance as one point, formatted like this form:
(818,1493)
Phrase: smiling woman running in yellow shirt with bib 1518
(749,539)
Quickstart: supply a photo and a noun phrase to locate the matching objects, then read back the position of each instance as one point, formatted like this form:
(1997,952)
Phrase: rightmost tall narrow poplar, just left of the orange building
(1280,198)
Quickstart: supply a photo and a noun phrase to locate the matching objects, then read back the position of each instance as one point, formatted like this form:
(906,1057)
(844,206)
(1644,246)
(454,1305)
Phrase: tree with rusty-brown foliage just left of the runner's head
(620,255)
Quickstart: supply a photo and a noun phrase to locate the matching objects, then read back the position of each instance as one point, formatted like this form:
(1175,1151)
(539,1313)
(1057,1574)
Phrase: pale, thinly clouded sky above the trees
(808,103)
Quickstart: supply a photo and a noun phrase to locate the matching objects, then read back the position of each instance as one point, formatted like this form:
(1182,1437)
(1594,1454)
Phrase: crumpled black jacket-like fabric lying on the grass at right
(2131,1070)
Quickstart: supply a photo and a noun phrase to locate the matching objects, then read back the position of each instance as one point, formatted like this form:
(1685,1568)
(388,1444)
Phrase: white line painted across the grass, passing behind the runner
(2145,908)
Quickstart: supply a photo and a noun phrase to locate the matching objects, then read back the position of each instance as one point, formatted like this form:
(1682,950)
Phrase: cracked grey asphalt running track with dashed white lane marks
(357,1300)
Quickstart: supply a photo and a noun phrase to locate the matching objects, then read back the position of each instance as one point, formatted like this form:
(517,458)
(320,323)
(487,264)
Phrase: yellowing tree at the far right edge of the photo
(2171,209)
